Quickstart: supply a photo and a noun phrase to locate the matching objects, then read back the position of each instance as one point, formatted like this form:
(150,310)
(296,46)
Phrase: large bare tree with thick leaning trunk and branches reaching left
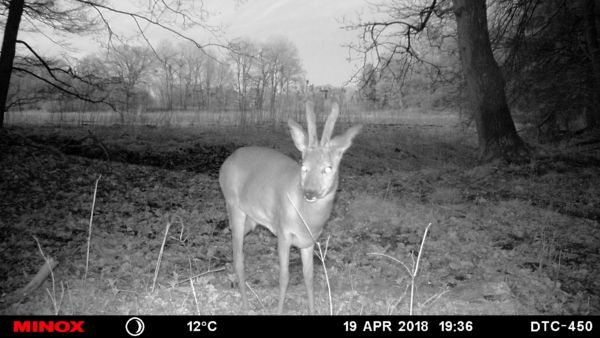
(397,37)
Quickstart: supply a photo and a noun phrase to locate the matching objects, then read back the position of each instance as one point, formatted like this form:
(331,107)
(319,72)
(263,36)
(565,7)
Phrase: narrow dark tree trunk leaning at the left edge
(7,55)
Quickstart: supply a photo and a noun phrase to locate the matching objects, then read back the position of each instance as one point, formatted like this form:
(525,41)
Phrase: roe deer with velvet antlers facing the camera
(260,185)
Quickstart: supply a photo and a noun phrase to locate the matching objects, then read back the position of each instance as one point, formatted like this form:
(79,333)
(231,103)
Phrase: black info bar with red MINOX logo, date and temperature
(281,326)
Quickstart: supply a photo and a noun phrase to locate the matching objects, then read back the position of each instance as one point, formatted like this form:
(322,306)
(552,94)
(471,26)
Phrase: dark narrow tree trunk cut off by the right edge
(591,37)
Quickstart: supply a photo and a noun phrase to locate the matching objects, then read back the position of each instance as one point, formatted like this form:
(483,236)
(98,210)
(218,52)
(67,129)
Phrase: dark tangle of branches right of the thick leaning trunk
(547,51)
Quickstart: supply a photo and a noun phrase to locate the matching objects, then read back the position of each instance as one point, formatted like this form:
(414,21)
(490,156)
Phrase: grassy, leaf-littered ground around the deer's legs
(504,239)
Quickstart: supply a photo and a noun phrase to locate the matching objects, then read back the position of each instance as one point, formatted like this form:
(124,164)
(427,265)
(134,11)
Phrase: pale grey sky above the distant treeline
(314,26)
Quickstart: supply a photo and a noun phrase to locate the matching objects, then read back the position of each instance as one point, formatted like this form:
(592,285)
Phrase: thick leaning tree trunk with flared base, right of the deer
(498,138)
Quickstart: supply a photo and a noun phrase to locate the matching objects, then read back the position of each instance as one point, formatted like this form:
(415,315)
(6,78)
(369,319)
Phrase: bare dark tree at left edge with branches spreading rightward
(81,16)
